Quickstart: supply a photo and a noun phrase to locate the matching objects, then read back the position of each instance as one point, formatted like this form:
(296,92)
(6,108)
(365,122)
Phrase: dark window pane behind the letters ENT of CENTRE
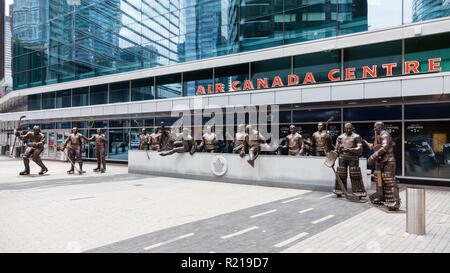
(355,58)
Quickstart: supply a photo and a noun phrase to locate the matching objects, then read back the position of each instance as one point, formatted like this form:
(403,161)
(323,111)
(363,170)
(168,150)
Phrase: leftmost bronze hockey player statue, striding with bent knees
(35,145)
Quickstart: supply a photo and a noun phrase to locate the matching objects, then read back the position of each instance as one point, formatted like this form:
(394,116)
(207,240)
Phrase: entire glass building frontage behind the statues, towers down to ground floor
(61,41)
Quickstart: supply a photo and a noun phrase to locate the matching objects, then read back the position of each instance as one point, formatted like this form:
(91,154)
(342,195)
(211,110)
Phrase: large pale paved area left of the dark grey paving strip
(74,213)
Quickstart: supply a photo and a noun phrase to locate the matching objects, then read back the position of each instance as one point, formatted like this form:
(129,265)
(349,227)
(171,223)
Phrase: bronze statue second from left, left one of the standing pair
(75,149)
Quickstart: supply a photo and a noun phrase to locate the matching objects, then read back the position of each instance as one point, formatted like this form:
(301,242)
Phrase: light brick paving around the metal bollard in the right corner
(376,231)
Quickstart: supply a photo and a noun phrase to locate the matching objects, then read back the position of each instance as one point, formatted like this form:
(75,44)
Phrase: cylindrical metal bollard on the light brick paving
(415,211)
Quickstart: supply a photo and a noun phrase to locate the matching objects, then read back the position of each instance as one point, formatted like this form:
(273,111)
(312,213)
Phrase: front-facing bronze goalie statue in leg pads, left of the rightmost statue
(349,147)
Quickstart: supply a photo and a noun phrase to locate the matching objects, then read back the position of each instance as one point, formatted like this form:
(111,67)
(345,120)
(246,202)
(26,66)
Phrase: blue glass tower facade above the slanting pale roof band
(57,41)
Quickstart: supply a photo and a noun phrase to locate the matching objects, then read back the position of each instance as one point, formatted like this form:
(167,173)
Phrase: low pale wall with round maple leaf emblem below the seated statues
(275,171)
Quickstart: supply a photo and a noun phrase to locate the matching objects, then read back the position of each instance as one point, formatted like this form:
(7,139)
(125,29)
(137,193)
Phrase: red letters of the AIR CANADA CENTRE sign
(410,67)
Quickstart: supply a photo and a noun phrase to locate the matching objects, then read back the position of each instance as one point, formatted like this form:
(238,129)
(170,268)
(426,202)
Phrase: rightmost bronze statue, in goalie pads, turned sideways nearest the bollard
(387,186)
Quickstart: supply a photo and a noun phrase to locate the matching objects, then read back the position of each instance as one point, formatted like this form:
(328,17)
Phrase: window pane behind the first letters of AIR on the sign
(198,79)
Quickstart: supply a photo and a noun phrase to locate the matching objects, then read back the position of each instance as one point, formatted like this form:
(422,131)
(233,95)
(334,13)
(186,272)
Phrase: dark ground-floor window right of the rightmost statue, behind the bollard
(427,149)
